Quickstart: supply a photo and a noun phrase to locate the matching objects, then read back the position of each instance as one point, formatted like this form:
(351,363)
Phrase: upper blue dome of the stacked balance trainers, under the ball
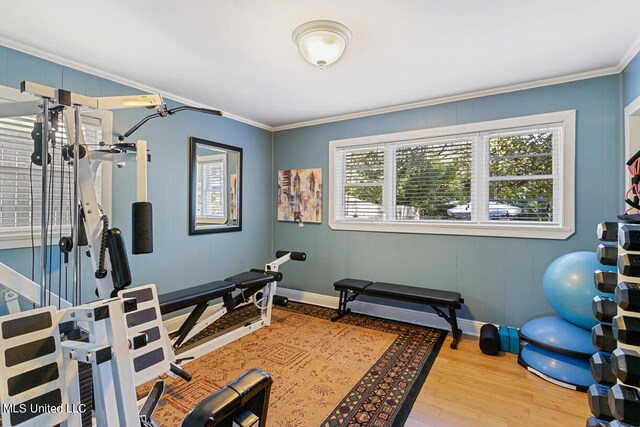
(560,336)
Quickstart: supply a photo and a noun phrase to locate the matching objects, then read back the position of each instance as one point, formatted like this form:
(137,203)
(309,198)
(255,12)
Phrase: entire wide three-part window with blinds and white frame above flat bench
(511,177)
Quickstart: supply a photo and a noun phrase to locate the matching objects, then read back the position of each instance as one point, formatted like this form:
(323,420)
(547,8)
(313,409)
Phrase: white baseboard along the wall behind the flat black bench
(469,327)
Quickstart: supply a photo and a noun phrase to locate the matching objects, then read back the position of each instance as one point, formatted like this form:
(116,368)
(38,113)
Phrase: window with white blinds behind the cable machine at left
(21,180)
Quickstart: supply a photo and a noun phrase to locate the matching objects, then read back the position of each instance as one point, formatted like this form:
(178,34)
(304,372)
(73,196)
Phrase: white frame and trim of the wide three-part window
(564,228)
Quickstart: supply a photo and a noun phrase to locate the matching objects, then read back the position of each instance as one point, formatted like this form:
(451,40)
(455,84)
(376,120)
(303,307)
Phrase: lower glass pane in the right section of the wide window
(521,200)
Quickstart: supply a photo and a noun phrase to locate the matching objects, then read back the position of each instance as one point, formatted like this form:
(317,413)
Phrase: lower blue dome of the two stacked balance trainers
(569,371)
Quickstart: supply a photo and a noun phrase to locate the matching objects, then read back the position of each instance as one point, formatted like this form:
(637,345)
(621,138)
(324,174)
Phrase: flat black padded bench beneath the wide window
(351,288)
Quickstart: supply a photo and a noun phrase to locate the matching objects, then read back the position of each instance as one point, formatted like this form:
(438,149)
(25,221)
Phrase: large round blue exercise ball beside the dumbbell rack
(568,286)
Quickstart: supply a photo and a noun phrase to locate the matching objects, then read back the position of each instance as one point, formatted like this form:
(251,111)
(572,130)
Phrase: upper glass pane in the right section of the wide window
(521,155)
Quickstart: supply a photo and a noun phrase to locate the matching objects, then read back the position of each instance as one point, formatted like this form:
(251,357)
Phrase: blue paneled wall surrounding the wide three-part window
(500,278)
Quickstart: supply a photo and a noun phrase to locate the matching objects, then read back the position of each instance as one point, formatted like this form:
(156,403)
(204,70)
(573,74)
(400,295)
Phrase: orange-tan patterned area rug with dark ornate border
(359,371)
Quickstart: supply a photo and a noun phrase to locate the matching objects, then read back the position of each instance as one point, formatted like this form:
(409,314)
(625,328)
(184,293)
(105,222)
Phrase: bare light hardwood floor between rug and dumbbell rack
(467,388)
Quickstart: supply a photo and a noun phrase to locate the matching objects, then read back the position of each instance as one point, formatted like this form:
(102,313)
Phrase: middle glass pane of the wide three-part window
(433,182)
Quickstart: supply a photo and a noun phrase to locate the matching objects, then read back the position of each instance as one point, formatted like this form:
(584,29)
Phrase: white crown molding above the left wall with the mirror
(12,44)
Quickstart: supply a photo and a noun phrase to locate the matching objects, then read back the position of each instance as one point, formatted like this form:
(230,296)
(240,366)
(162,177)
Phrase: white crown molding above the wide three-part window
(453,98)
